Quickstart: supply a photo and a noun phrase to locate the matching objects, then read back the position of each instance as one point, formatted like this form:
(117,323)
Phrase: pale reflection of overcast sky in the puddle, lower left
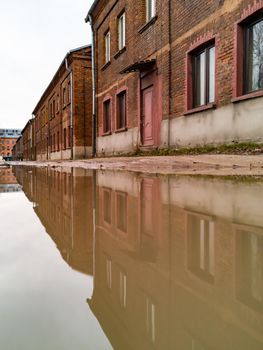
(42,300)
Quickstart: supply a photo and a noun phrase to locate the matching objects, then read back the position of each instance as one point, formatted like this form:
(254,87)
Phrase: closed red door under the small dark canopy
(147,117)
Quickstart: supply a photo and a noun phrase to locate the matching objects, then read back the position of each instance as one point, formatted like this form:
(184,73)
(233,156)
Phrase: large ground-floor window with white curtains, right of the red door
(203,68)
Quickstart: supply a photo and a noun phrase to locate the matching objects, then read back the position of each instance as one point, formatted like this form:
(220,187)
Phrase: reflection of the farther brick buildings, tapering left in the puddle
(63,204)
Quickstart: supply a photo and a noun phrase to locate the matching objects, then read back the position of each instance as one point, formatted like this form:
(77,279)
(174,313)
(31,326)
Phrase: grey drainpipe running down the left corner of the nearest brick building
(94,117)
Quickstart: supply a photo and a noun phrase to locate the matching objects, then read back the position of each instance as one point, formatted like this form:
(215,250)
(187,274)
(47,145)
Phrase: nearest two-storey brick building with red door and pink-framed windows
(177,73)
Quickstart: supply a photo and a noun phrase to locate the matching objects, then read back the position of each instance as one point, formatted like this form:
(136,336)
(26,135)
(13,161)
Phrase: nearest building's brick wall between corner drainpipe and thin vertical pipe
(139,46)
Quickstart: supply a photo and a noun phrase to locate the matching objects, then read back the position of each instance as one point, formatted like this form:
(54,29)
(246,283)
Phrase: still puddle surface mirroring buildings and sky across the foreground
(113,260)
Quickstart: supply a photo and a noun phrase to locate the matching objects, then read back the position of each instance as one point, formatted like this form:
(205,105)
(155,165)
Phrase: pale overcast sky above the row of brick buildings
(35,36)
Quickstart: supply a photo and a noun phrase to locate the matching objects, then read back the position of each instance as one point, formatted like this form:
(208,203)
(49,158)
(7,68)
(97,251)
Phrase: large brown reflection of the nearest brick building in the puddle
(178,263)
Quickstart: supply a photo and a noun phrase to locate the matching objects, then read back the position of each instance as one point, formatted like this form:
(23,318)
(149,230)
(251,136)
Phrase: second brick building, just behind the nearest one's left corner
(62,116)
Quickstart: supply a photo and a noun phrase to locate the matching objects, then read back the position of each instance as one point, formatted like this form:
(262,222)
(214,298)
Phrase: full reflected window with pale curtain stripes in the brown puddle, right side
(201,247)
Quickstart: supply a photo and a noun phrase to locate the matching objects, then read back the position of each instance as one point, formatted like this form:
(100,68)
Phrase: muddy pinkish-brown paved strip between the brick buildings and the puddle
(198,164)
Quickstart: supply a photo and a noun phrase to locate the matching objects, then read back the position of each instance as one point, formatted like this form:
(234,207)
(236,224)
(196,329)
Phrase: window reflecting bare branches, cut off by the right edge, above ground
(254,56)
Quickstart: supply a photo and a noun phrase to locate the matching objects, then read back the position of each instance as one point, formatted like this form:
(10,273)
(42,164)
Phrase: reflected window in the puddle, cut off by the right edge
(249,262)
